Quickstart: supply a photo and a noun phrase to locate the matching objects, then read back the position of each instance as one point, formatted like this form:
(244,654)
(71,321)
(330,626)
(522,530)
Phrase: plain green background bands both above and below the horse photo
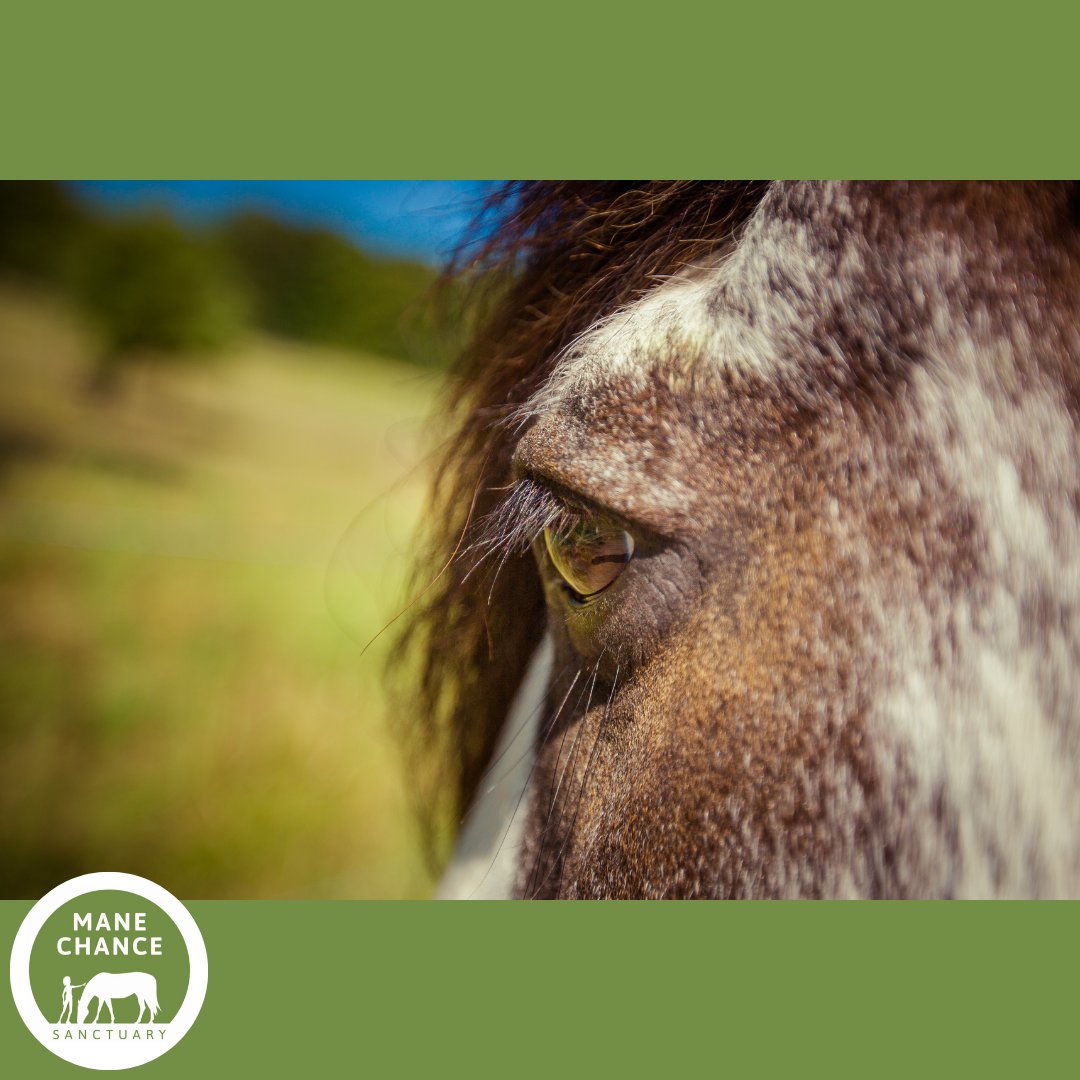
(131,89)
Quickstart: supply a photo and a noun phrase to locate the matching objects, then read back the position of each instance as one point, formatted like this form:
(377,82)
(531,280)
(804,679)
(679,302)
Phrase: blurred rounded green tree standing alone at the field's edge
(152,287)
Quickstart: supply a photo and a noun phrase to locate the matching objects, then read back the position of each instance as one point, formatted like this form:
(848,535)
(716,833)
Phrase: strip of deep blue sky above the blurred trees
(407,219)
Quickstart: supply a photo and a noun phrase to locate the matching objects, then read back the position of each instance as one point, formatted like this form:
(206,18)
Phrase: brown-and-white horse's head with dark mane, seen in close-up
(753,564)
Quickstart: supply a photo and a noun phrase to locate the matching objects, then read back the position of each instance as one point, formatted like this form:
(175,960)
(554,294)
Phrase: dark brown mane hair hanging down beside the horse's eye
(563,254)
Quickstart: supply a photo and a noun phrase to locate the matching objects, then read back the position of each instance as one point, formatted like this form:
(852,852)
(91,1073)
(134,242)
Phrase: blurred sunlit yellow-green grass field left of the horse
(190,570)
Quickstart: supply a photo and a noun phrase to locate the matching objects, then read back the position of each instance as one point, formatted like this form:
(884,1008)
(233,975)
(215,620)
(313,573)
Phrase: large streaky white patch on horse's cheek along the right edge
(994,728)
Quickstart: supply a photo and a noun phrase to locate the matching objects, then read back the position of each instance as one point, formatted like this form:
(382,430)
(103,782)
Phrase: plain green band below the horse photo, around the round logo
(423,990)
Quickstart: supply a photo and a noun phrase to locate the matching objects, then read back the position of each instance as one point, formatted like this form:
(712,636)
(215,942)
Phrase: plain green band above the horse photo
(130,89)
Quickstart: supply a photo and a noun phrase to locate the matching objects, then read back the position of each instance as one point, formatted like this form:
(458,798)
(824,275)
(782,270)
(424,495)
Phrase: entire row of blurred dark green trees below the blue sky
(154,287)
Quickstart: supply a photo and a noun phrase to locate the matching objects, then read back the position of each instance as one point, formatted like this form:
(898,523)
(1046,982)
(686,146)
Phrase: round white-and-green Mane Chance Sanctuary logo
(109,971)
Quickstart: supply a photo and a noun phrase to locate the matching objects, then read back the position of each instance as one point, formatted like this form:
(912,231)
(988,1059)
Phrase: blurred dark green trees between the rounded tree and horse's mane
(313,285)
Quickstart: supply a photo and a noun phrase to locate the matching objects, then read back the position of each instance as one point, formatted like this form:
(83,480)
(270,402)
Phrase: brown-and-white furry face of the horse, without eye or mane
(855,421)
